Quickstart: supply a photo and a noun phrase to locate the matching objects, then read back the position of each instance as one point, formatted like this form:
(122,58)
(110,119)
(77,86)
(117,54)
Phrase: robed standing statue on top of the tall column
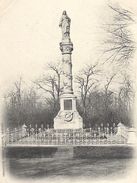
(65,25)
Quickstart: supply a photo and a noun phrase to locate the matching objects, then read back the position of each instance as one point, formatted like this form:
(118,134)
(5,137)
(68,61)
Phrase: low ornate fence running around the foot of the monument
(28,135)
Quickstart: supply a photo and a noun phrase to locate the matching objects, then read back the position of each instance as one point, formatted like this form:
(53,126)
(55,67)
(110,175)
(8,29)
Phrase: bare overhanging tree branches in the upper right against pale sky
(119,44)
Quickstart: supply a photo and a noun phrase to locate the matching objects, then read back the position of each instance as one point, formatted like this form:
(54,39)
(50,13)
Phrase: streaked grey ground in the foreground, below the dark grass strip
(53,167)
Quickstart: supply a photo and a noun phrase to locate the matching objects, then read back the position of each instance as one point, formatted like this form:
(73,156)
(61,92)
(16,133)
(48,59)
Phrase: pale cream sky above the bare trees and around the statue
(30,34)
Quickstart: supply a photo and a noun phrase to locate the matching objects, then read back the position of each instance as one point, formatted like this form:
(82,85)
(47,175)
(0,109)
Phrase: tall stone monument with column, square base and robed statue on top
(68,116)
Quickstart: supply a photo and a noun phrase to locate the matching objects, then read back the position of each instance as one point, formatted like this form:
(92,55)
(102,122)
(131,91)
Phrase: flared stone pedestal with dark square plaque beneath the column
(68,117)
